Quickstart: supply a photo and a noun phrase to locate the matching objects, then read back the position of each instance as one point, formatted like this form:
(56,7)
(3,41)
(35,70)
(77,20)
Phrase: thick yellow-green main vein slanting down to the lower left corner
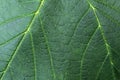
(22,39)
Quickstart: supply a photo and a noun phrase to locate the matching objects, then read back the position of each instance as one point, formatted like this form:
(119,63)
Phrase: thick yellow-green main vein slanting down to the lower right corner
(104,38)
